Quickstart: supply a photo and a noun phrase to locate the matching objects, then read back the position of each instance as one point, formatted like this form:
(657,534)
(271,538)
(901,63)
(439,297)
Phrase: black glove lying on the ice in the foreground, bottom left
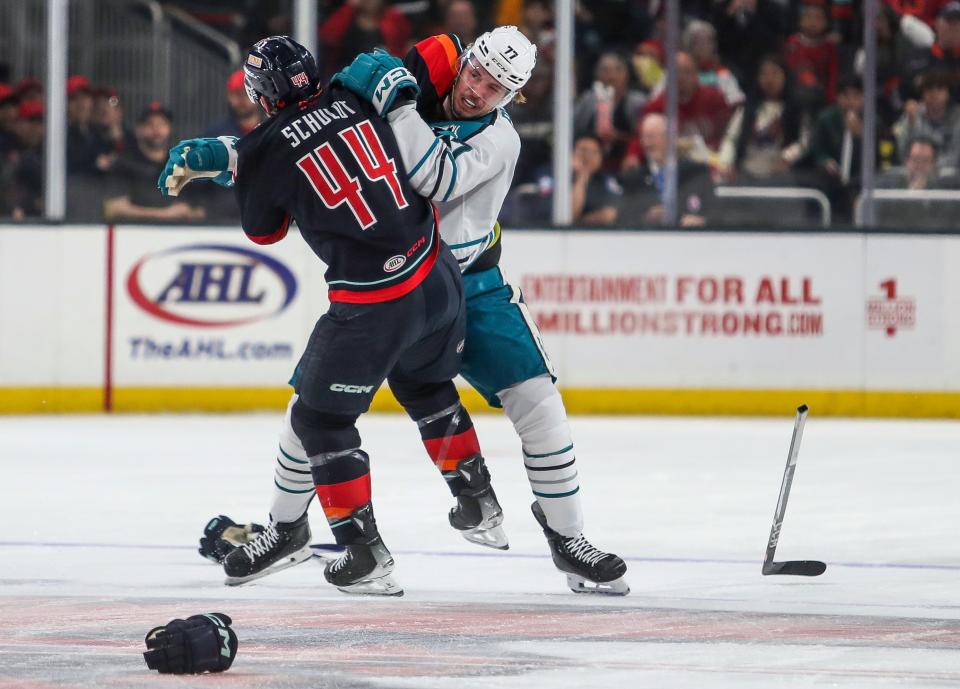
(200,643)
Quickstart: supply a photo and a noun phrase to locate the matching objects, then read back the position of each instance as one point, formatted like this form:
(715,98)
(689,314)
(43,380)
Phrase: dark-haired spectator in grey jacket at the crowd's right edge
(935,118)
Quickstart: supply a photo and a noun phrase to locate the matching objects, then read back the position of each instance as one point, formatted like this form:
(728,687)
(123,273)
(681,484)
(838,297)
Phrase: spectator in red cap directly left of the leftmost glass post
(25,198)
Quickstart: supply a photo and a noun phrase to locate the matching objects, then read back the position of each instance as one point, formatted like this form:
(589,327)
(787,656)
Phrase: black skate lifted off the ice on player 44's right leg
(478,515)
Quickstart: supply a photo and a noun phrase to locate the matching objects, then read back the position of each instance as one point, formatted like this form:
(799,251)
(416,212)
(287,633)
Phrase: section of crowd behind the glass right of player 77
(770,94)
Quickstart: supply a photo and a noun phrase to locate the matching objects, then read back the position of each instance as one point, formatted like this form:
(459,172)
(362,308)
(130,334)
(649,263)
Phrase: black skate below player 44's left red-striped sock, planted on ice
(366,565)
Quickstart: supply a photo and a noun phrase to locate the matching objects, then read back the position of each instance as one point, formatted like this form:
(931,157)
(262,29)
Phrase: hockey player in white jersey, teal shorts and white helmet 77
(460,149)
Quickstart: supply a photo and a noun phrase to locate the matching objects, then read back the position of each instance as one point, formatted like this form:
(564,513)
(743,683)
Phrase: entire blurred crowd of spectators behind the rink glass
(770,94)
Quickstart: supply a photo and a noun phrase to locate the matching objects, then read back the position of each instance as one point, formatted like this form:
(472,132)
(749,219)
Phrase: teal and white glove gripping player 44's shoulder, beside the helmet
(380,79)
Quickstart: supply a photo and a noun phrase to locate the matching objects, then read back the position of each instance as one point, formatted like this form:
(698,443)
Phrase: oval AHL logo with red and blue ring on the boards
(211,285)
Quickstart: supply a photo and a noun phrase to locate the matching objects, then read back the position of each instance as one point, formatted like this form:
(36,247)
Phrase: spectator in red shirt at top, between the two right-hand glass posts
(812,57)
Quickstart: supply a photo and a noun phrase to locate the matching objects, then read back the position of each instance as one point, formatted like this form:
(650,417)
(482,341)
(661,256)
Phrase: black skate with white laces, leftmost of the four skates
(278,547)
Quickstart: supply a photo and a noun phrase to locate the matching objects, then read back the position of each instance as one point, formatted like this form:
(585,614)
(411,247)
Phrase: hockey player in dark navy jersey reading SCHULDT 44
(327,160)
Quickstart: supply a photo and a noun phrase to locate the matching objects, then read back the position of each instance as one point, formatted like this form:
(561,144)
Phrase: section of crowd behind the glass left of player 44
(112,168)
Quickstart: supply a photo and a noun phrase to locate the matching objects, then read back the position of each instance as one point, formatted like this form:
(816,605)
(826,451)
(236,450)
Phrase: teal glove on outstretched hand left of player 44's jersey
(211,158)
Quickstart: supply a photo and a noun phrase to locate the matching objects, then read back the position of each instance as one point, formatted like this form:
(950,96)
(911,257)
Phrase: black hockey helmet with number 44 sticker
(281,71)
